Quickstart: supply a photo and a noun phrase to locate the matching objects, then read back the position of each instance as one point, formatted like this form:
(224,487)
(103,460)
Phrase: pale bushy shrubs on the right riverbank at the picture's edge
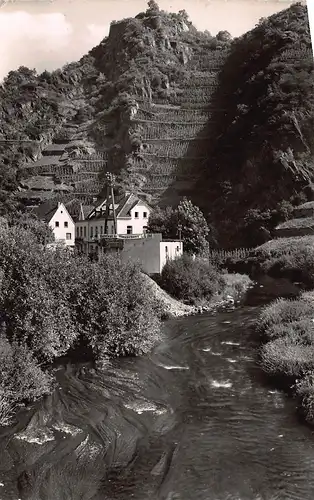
(288,351)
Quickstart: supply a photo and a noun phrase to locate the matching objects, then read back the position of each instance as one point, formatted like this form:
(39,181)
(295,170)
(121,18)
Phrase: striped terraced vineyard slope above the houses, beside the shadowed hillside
(175,133)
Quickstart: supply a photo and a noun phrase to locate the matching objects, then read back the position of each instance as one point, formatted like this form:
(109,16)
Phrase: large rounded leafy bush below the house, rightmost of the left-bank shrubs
(113,310)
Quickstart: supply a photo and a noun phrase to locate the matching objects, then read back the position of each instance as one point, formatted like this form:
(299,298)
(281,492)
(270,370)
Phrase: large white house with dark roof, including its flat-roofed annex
(131,240)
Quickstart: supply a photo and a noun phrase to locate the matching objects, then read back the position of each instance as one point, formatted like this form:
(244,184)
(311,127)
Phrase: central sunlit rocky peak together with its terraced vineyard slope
(160,88)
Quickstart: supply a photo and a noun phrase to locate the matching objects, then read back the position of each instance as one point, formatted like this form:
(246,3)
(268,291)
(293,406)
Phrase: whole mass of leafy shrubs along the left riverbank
(50,301)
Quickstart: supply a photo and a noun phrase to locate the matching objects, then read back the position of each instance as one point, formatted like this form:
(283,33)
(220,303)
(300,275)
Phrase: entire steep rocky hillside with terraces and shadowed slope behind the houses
(172,112)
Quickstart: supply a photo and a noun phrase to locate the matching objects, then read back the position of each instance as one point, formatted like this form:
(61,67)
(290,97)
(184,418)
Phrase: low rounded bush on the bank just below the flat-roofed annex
(191,280)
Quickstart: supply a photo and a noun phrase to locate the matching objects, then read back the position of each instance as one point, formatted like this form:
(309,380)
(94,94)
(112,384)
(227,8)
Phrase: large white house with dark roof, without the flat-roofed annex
(131,212)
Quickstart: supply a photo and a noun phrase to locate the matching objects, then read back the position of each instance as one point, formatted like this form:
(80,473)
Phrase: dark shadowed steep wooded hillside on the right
(262,146)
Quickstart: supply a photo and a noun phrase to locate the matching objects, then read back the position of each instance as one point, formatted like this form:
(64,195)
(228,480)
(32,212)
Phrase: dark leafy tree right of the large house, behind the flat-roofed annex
(186,220)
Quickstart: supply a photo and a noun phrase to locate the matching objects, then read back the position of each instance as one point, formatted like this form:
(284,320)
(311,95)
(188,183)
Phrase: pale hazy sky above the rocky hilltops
(48,33)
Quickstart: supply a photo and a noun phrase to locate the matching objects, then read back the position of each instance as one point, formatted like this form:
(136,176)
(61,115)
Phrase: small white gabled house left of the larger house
(58,218)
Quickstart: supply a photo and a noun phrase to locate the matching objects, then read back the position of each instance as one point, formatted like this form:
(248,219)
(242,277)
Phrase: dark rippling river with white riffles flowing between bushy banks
(194,420)
